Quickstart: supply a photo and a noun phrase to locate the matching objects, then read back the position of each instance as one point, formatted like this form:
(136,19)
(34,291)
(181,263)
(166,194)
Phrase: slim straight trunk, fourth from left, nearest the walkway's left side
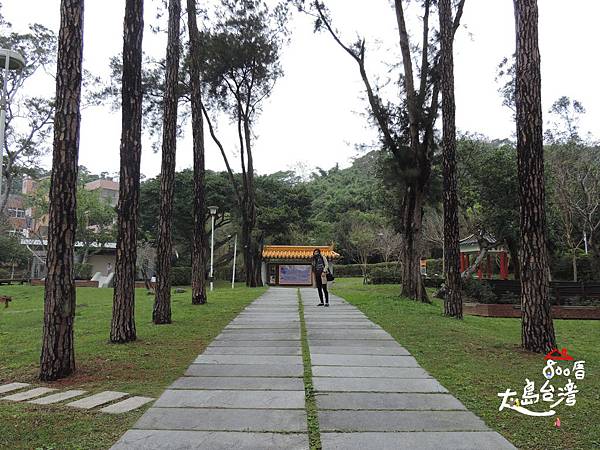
(199,244)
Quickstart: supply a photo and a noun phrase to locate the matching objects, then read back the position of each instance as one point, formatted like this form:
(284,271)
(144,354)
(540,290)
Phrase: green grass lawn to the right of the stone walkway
(478,357)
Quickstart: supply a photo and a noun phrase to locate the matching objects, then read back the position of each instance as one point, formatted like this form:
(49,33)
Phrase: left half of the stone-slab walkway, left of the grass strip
(245,391)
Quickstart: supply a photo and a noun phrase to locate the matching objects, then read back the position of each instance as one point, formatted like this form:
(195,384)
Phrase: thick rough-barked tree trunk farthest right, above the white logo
(537,332)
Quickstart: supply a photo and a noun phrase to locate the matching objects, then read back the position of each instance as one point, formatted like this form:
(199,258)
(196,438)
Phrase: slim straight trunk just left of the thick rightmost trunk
(453,298)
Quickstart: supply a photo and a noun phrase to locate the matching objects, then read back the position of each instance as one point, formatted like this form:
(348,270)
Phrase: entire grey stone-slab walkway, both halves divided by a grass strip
(246,390)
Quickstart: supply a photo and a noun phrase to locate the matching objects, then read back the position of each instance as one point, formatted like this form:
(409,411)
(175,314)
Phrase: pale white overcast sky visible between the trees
(315,115)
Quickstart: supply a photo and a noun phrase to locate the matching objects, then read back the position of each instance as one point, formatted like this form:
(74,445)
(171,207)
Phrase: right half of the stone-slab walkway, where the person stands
(371,394)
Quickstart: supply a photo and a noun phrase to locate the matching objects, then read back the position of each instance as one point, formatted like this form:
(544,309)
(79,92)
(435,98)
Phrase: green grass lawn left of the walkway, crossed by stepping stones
(146,367)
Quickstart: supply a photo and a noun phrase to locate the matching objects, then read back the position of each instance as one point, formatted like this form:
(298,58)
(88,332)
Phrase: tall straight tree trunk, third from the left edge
(162,303)
